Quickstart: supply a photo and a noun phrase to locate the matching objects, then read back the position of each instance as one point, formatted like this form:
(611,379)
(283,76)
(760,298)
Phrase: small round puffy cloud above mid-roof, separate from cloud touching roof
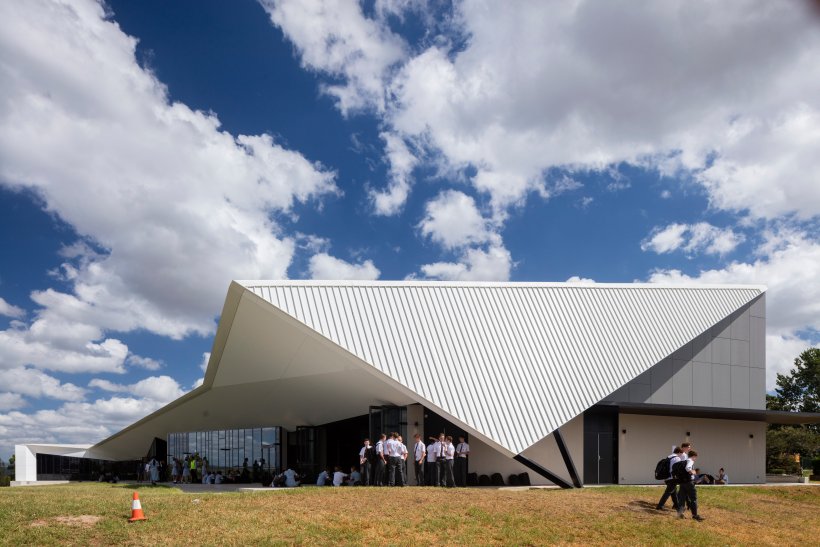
(452,220)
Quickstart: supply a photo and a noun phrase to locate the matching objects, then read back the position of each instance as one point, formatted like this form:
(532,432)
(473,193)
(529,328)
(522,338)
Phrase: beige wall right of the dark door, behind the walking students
(719,443)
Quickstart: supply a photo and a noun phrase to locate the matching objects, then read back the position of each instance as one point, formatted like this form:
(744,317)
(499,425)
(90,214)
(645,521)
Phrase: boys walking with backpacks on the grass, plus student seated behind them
(683,476)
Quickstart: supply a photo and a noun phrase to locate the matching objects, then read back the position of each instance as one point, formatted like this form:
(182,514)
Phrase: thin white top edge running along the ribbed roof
(247,283)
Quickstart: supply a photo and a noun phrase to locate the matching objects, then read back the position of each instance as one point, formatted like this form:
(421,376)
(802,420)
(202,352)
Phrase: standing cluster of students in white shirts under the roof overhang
(441,463)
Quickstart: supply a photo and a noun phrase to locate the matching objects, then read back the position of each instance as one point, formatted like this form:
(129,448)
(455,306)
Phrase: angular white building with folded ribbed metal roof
(574,384)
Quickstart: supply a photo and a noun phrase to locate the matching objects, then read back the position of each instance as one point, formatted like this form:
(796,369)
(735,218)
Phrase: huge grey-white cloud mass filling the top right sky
(724,91)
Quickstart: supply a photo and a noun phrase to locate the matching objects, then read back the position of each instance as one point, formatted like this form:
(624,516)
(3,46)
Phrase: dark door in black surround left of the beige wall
(601,446)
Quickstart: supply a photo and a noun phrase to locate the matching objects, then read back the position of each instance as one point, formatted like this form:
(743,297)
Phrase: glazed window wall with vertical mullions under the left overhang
(227,449)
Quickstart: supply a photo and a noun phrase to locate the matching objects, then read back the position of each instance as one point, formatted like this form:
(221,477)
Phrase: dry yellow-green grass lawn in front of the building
(311,515)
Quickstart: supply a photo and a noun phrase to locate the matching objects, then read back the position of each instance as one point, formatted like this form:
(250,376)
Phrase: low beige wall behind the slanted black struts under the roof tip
(485,460)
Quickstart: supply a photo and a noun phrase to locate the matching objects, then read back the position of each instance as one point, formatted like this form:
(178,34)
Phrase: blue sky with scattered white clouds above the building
(152,151)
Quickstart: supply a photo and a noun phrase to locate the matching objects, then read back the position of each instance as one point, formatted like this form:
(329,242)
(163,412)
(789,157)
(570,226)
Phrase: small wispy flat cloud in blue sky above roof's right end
(692,238)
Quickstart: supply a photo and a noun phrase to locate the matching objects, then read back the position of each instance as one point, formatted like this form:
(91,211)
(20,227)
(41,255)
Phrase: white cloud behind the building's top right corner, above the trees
(789,264)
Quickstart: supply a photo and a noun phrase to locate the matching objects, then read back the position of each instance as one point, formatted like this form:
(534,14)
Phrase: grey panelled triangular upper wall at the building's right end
(723,367)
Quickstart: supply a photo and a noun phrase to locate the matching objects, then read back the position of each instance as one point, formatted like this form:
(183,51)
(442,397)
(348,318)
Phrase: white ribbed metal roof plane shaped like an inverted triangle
(515,361)
